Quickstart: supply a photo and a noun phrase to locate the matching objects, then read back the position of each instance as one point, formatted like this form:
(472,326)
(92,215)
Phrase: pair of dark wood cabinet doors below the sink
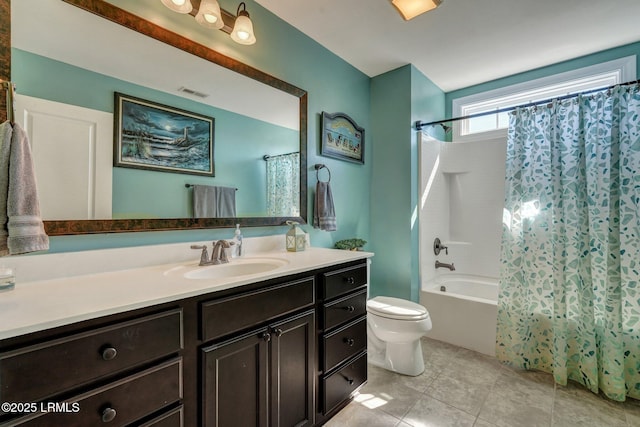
(263,378)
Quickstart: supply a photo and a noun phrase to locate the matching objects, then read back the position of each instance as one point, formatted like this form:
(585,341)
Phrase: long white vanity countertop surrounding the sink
(50,302)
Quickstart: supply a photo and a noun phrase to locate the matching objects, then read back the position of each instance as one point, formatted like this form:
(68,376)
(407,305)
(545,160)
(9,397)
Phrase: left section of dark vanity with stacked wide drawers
(120,373)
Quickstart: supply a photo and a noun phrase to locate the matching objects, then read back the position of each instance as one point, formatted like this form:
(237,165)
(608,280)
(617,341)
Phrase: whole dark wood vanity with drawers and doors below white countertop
(282,352)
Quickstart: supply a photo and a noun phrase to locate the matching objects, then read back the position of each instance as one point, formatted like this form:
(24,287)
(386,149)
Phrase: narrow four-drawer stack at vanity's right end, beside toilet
(342,336)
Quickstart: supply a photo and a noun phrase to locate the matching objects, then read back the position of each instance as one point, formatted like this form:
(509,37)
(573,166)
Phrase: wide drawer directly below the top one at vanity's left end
(120,402)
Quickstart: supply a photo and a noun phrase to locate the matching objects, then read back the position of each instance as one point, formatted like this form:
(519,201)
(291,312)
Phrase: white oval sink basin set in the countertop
(235,268)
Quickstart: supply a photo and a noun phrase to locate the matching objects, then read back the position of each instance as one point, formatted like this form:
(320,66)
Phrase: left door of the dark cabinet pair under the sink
(235,382)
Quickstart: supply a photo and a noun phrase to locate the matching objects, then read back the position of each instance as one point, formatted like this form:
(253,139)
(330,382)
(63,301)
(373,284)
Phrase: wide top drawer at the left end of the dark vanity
(39,371)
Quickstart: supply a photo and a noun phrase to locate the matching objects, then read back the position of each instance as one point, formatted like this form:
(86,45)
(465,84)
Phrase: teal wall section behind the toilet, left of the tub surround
(398,99)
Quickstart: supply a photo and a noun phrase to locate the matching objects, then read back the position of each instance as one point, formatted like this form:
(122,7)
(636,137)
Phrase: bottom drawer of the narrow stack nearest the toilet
(338,386)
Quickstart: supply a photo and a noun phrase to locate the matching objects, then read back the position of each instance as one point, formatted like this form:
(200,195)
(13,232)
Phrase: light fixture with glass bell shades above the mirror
(210,15)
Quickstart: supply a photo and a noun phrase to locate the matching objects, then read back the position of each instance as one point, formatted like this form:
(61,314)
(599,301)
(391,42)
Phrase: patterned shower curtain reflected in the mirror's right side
(283,185)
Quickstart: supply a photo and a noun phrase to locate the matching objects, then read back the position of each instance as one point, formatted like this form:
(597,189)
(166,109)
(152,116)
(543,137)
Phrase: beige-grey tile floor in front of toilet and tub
(463,388)
